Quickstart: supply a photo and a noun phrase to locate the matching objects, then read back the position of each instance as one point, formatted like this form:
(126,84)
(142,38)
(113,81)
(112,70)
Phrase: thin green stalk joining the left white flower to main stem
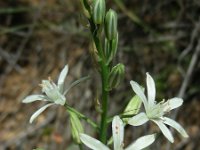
(93,124)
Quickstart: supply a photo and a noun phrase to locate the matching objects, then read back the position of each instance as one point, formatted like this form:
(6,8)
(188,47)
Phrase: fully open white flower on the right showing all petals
(156,111)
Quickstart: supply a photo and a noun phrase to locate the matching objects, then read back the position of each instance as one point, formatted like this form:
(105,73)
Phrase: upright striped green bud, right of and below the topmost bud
(111,24)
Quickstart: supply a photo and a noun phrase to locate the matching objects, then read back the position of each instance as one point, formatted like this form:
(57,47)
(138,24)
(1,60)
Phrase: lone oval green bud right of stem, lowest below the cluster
(116,76)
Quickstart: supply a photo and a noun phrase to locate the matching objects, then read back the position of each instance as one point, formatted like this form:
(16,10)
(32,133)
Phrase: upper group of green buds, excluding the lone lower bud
(95,11)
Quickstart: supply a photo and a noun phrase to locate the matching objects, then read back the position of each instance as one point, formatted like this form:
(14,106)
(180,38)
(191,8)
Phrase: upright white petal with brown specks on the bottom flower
(118,133)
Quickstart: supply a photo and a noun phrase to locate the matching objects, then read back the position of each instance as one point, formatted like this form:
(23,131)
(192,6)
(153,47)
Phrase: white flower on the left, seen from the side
(54,94)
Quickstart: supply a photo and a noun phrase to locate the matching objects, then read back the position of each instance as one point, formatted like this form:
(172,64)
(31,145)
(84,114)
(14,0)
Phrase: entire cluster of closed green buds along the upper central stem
(100,19)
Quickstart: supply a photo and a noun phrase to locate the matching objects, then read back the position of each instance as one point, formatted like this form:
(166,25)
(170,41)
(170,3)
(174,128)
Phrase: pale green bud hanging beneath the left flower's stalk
(76,127)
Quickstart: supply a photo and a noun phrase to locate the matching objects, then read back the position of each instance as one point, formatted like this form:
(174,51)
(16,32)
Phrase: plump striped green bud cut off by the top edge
(99,11)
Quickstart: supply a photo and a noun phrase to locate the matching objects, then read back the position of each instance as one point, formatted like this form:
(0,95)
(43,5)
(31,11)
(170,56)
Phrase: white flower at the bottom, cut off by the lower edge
(118,137)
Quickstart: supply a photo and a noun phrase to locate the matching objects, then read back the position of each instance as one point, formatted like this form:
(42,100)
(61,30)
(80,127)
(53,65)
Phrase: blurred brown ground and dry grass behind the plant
(38,37)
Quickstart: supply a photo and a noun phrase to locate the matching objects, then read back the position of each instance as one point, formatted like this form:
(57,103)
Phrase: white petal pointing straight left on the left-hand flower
(32,98)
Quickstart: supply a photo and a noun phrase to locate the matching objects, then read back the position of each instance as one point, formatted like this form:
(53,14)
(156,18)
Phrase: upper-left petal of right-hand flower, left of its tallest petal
(137,89)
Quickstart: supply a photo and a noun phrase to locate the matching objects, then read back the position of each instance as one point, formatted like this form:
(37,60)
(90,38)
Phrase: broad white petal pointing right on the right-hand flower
(172,103)
